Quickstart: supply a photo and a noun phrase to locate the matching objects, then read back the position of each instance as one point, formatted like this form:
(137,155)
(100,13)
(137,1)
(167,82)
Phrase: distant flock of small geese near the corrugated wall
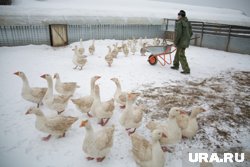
(126,47)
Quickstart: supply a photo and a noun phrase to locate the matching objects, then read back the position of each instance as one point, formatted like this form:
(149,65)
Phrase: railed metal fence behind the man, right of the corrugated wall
(216,36)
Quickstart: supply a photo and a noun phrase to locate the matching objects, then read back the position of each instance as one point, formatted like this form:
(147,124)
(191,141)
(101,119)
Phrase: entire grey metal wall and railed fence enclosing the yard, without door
(216,36)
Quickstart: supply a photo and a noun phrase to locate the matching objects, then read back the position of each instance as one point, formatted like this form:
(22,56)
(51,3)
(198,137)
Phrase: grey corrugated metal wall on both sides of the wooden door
(24,35)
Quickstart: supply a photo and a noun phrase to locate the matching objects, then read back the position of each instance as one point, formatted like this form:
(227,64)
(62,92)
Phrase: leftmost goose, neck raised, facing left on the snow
(32,94)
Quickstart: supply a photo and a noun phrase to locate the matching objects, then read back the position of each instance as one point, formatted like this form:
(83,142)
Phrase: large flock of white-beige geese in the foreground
(97,144)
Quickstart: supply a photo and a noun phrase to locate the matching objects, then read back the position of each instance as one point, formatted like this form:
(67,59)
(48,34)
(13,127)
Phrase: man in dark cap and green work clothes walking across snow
(183,33)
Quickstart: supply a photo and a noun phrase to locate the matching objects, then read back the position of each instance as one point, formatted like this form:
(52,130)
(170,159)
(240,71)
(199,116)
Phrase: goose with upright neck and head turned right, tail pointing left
(84,104)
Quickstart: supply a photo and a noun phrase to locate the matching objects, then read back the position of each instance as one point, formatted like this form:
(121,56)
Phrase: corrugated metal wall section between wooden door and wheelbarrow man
(109,31)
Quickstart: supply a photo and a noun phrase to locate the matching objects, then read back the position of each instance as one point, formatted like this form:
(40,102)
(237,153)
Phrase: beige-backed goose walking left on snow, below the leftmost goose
(57,125)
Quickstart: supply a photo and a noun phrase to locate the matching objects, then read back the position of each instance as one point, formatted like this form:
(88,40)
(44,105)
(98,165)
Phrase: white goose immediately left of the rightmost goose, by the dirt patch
(170,128)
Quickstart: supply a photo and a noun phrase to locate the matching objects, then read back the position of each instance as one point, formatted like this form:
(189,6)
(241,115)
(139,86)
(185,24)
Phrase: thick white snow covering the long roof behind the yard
(24,12)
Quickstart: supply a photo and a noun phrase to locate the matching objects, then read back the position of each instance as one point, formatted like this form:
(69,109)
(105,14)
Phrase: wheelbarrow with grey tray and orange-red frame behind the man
(161,54)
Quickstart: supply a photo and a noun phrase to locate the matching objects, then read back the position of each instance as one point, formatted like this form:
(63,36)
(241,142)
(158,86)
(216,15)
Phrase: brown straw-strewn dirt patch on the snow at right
(226,98)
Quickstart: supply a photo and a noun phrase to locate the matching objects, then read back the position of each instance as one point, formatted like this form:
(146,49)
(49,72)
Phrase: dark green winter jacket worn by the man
(183,33)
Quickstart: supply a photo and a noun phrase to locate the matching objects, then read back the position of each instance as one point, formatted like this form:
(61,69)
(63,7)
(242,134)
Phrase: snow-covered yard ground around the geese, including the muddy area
(20,142)
